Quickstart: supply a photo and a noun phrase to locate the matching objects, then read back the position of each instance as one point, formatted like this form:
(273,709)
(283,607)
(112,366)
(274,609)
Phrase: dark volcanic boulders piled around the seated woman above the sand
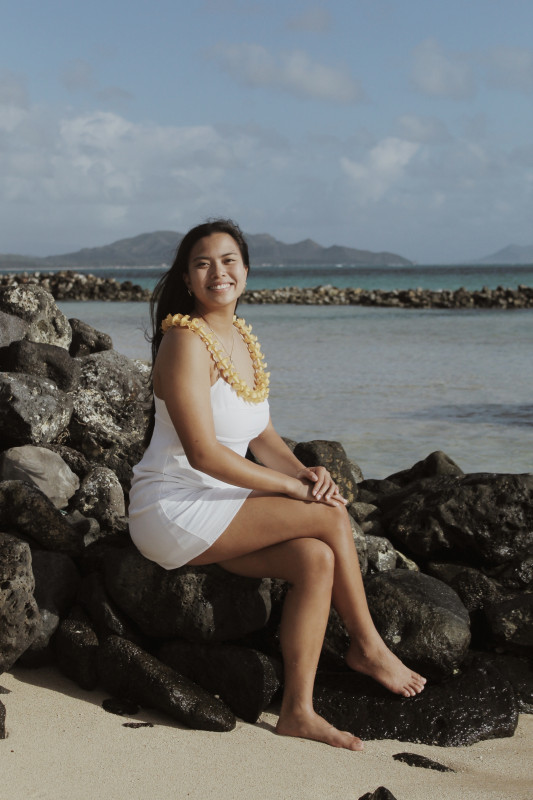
(447,560)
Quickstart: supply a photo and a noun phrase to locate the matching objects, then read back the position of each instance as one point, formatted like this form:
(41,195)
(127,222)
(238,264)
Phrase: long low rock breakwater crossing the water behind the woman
(70,285)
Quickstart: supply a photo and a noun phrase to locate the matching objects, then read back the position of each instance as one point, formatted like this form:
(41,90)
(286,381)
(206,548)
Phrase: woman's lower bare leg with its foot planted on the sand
(308,566)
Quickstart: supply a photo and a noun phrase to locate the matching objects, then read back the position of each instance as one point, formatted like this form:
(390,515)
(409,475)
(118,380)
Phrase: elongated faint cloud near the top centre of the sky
(253,65)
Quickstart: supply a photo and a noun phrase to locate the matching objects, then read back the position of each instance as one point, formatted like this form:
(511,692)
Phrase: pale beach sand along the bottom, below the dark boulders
(61,744)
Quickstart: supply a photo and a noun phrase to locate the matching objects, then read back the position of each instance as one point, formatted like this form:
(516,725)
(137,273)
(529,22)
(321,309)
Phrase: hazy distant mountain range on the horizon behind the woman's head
(154,249)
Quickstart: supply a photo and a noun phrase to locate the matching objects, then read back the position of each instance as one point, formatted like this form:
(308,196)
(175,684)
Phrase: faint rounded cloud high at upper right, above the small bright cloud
(439,74)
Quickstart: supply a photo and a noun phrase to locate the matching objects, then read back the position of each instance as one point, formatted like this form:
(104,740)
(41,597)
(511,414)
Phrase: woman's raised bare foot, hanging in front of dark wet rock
(380,663)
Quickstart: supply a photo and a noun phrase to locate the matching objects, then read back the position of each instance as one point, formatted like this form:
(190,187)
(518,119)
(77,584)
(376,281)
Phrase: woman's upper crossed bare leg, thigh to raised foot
(265,520)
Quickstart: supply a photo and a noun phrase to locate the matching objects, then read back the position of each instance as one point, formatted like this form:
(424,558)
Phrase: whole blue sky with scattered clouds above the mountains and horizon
(383,125)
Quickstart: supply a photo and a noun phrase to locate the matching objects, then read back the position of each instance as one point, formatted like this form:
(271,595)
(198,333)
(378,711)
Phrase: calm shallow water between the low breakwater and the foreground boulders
(392,385)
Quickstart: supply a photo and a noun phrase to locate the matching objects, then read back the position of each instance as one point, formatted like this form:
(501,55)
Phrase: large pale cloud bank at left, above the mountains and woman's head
(97,176)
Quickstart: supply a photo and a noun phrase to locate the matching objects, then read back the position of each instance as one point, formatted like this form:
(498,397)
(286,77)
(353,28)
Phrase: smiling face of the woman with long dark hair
(217,274)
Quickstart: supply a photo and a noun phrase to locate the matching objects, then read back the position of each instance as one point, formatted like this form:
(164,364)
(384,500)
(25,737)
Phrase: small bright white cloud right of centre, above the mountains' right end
(380,170)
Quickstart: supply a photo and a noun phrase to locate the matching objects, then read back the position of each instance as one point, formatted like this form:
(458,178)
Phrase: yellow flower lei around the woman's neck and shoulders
(224,364)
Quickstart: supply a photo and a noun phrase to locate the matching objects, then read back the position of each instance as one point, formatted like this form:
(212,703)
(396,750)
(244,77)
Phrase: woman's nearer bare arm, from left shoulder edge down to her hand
(182,378)
